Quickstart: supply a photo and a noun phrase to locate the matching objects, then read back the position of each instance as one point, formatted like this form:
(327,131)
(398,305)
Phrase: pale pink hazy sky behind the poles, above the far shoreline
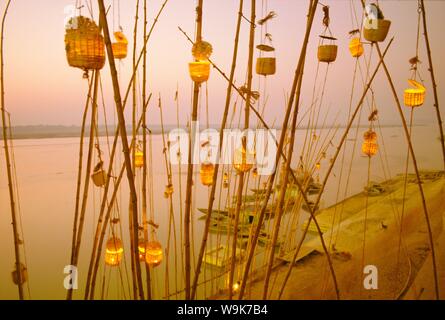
(42,89)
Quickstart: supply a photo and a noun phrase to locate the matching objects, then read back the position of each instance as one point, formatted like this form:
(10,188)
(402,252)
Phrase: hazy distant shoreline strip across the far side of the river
(53,132)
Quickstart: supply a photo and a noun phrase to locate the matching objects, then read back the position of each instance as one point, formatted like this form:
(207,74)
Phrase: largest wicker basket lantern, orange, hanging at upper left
(84,45)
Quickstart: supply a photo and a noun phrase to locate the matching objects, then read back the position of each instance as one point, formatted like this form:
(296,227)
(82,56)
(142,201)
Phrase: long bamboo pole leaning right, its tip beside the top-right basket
(331,166)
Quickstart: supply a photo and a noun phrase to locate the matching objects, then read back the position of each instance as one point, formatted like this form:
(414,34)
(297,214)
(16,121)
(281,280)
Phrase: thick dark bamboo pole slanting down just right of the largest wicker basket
(123,133)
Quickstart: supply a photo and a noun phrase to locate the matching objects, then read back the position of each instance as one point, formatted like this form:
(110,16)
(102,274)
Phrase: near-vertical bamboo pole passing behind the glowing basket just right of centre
(244,145)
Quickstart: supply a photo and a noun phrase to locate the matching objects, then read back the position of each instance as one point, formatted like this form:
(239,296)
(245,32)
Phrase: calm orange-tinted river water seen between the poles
(47,173)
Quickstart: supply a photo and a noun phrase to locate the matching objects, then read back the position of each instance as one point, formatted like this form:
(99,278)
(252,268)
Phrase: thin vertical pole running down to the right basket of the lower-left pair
(144,151)
